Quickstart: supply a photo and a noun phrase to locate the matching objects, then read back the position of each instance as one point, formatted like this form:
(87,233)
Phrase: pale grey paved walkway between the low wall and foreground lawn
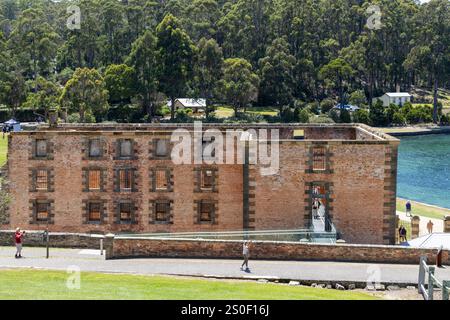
(90,260)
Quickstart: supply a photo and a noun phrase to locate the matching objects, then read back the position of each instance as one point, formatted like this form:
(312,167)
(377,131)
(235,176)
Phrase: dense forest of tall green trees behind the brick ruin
(86,57)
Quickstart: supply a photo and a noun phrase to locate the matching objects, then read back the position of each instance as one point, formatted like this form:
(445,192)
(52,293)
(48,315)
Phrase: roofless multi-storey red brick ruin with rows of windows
(120,178)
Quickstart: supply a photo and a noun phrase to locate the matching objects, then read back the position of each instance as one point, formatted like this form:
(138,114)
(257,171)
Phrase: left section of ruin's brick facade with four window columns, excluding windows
(69,196)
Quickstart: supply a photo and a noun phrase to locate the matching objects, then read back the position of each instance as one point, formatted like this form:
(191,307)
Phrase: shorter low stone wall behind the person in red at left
(56,239)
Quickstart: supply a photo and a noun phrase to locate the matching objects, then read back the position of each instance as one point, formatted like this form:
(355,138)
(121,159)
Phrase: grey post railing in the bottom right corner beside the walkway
(428,293)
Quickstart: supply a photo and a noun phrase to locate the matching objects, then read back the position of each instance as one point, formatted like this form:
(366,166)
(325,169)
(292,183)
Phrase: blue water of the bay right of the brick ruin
(424,169)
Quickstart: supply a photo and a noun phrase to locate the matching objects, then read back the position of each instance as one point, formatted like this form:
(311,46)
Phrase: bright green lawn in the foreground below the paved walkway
(32,284)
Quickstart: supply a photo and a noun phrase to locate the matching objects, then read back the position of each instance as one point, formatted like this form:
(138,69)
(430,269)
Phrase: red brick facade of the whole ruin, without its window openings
(362,189)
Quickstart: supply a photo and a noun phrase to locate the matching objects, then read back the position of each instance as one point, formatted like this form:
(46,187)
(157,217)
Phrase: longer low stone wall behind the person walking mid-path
(121,247)
